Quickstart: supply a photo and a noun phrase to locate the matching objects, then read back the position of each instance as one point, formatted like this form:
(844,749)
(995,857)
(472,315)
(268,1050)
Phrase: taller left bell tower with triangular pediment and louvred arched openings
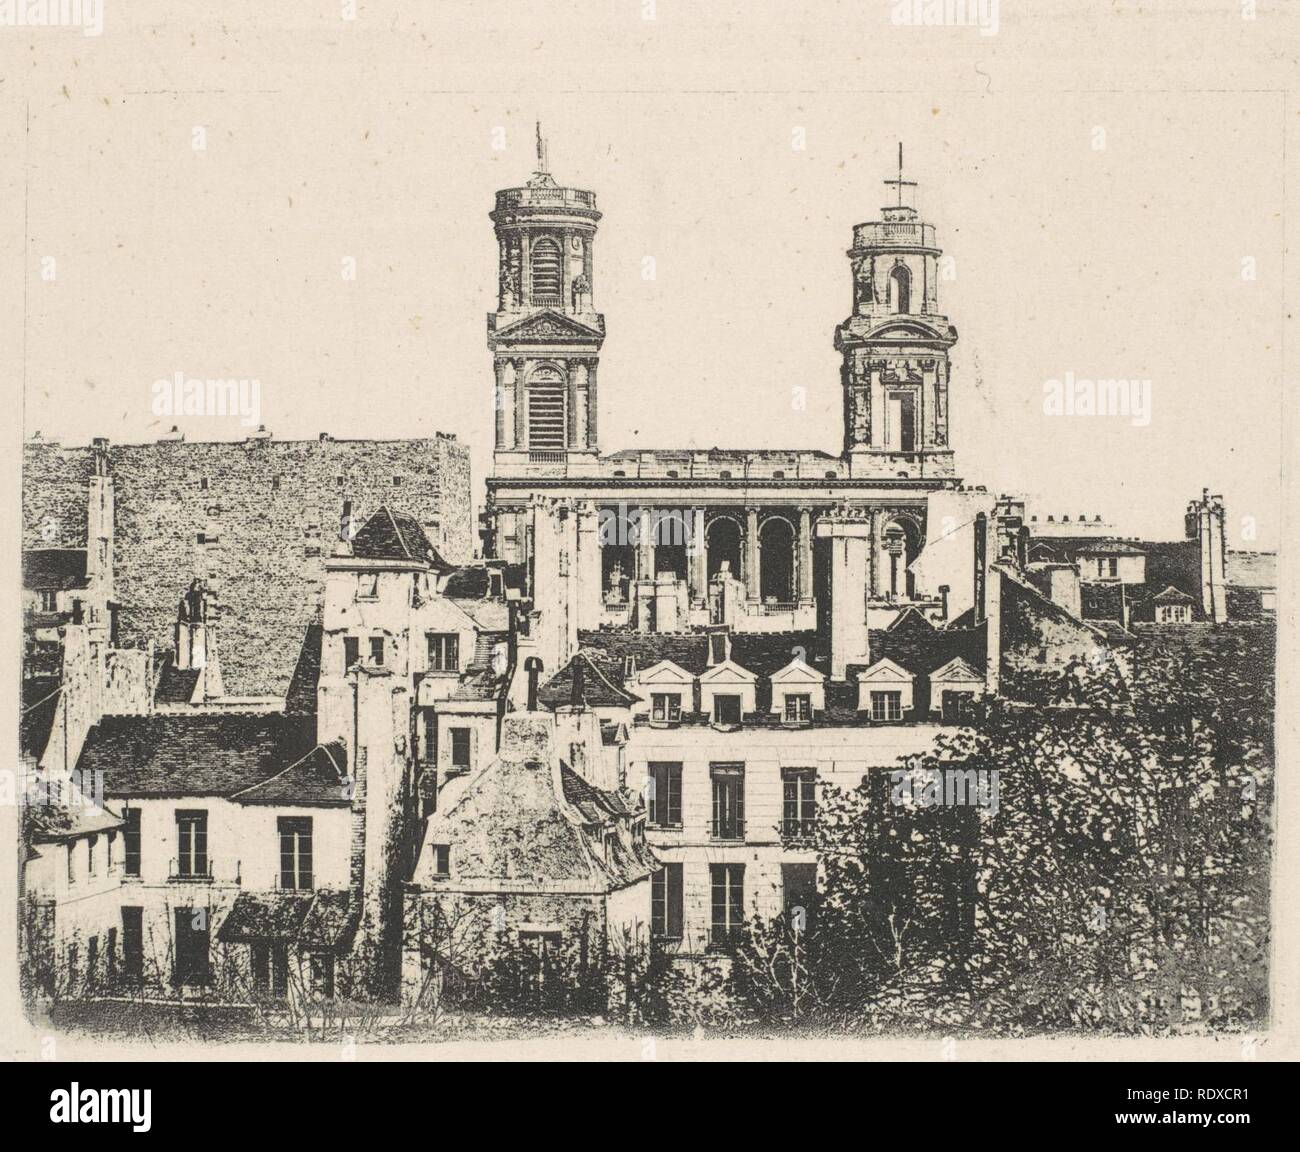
(545,336)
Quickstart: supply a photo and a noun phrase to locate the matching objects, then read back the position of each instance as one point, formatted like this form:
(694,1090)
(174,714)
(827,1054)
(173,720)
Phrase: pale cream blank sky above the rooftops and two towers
(1102,222)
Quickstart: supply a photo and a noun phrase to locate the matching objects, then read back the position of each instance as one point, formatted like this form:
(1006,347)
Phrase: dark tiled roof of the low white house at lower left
(213,755)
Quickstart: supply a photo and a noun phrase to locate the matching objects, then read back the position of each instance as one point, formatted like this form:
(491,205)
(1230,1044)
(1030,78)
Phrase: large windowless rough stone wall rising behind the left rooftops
(254,518)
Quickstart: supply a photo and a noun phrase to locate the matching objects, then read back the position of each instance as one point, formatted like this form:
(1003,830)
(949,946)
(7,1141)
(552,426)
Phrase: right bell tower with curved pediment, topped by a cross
(895,348)
